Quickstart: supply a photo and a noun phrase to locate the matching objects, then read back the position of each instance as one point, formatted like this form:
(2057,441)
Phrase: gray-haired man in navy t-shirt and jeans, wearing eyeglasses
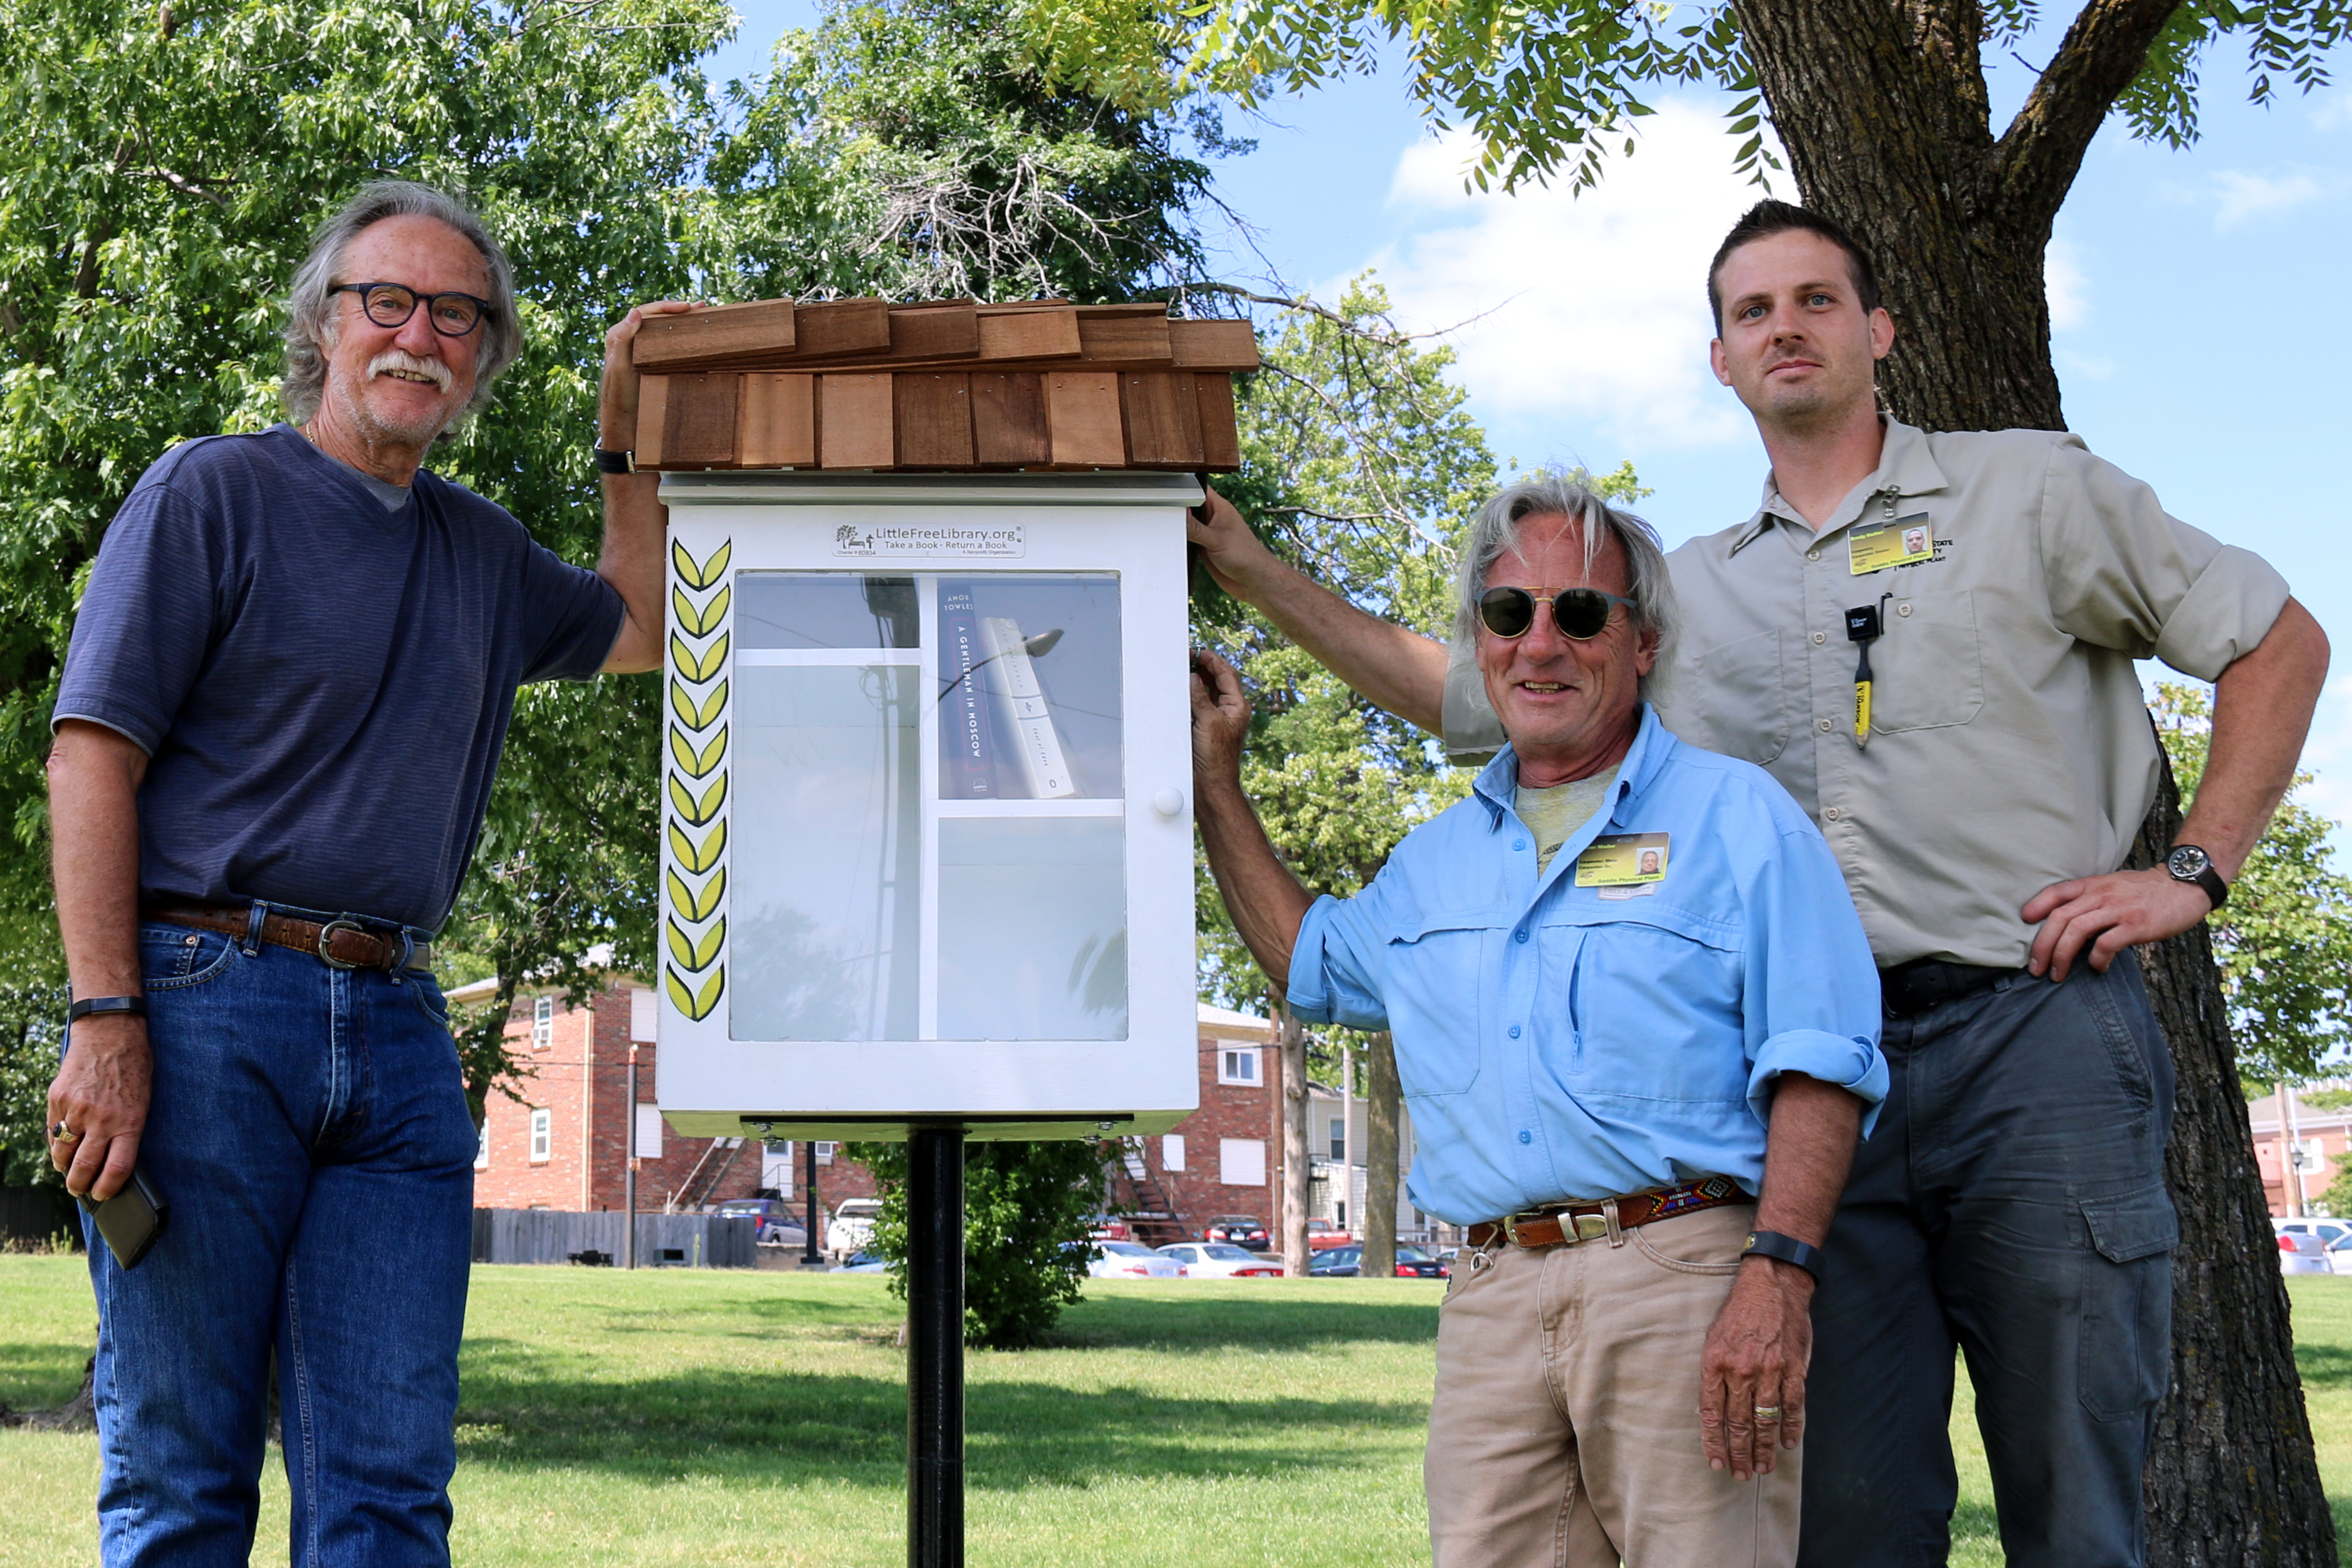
(276,732)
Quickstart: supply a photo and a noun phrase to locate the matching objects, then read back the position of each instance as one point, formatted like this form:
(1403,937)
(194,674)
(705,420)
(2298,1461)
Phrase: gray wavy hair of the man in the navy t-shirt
(312,307)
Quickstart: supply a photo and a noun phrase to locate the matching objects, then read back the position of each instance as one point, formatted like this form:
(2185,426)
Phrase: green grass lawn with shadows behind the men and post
(761,1419)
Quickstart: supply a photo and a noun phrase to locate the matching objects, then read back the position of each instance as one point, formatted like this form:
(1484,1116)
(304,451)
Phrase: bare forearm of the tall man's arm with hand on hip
(2261,713)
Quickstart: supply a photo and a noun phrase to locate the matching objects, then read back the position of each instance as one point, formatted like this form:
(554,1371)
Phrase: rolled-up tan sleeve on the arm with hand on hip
(2130,577)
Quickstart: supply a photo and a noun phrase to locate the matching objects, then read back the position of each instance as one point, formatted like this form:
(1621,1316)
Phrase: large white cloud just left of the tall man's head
(1591,307)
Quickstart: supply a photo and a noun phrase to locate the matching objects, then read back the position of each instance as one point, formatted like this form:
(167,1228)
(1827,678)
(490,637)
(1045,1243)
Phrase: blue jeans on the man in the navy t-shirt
(312,1139)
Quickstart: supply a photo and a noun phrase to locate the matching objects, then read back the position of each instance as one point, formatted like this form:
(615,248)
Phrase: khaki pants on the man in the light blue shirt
(1565,1428)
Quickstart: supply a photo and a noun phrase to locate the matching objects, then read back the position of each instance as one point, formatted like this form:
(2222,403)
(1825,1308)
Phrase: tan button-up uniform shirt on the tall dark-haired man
(2010,742)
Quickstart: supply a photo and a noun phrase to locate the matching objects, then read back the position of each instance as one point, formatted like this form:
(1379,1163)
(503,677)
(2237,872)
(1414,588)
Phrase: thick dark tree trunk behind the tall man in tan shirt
(1885,119)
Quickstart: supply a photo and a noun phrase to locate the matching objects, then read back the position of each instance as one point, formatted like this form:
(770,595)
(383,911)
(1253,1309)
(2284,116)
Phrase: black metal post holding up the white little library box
(935,1341)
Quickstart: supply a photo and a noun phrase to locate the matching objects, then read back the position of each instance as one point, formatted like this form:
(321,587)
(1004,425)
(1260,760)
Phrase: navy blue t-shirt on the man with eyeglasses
(321,685)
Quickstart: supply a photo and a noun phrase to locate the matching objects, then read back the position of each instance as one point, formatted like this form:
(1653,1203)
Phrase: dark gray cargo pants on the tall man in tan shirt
(2010,1202)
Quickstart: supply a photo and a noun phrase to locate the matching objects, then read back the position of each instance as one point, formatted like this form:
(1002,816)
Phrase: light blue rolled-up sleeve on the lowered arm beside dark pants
(1812,996)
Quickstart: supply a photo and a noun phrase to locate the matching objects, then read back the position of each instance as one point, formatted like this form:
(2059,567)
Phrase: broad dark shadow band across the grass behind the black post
(768,1426)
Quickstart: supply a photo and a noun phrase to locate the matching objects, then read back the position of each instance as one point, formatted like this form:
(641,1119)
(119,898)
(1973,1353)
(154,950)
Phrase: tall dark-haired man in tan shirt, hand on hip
(1979,793)
